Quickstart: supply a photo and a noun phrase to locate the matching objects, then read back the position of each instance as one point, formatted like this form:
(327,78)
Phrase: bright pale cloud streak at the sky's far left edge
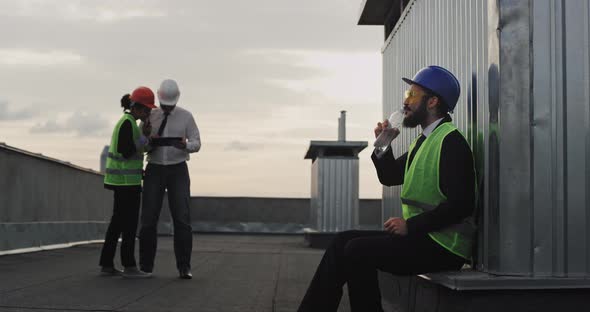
(39,58)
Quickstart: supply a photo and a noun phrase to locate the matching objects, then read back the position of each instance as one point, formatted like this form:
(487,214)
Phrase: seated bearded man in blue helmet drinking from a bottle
(438,197)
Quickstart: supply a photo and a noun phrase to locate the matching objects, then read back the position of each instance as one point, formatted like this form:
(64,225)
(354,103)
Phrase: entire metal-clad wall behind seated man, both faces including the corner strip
(525,110)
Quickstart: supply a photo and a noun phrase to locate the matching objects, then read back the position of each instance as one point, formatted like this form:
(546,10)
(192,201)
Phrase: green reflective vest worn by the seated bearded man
(421,192)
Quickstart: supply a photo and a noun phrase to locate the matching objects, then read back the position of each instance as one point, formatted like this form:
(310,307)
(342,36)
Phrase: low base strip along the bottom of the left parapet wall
(40,234)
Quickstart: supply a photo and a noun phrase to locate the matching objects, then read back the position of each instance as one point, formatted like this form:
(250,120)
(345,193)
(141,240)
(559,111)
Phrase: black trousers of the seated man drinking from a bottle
(354,257)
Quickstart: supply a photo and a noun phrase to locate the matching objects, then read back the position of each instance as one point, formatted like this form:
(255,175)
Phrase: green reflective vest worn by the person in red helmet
(123,171)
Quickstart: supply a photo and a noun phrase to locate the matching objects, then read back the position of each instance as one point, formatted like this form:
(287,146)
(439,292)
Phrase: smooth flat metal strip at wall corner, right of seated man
(514,102)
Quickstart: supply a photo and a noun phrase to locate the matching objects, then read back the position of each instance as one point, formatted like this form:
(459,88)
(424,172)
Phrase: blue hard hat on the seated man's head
(439,81)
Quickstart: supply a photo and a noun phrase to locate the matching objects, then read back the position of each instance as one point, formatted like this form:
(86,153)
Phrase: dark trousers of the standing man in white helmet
(158,179)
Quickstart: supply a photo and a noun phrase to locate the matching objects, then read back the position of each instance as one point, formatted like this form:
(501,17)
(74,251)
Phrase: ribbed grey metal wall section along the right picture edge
(560,131)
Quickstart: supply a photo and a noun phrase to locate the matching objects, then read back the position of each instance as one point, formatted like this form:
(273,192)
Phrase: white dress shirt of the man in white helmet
(180,123)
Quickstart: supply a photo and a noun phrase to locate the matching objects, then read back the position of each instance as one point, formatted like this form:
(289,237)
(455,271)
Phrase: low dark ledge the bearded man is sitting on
(419,293)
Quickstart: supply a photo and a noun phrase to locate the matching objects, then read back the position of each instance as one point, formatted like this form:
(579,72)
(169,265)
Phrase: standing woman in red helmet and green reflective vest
(123,176)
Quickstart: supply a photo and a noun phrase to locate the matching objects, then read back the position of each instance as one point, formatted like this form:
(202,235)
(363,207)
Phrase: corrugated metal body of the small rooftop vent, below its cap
(336,201)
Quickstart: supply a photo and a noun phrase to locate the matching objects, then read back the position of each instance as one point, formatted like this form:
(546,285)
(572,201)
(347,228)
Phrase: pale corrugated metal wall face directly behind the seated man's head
(449,33)
